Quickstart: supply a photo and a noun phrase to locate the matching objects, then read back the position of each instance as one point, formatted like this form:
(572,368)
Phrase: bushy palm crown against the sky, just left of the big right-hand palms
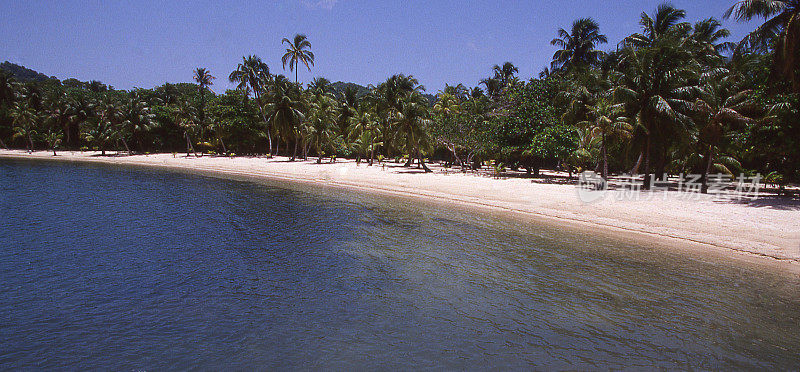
(578,46)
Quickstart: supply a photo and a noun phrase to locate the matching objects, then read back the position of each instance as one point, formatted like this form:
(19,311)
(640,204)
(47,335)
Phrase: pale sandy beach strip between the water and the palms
(767,227)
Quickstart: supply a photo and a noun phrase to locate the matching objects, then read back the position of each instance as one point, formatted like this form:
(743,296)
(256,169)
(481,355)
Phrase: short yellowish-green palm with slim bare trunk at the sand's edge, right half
(607,122)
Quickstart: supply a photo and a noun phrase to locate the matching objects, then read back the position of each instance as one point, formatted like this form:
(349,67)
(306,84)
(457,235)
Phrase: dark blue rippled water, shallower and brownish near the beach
(136,269)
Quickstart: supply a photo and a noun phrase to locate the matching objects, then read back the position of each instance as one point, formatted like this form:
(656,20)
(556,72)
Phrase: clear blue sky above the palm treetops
(143,44)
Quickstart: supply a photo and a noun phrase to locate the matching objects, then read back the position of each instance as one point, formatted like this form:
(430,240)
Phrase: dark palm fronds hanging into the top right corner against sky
(782,19)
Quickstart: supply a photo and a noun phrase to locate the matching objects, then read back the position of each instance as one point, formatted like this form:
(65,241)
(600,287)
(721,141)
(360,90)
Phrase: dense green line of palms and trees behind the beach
(674,98)
